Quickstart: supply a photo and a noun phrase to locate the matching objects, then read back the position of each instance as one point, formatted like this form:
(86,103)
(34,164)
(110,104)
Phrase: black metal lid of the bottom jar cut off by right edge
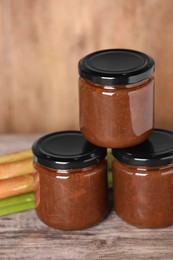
(157,150)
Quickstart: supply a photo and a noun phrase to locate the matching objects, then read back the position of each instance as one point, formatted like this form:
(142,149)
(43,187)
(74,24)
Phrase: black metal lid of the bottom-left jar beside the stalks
(66,150)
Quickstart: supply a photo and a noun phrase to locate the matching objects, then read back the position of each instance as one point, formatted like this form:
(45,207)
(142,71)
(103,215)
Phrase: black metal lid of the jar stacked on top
(116,67)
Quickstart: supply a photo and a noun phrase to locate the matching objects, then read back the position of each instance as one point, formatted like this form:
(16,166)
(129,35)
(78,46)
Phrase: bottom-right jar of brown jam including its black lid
(143,181)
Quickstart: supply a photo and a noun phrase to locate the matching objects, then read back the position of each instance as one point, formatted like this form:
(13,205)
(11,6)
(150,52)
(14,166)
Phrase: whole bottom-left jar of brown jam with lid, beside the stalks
(70,177)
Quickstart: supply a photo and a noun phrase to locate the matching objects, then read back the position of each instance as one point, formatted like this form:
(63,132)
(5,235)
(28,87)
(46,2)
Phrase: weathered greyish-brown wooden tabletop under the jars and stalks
(24,236)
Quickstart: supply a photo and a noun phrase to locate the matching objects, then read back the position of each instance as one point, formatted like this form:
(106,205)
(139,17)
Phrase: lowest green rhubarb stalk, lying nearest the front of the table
(16,208)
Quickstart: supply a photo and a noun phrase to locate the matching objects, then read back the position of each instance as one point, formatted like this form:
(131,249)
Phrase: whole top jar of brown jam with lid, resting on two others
(116,92)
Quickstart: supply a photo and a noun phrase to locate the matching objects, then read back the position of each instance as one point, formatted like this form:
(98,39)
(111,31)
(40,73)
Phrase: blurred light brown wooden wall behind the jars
(41,42)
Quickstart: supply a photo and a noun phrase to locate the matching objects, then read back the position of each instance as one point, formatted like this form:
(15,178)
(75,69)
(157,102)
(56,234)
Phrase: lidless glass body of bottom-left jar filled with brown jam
(71,199)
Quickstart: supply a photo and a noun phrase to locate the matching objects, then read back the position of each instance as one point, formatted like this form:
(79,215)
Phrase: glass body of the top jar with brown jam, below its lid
(116,116)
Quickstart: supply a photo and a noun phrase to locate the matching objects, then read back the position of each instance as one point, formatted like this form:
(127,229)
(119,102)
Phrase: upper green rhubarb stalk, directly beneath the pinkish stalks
(15,200)
